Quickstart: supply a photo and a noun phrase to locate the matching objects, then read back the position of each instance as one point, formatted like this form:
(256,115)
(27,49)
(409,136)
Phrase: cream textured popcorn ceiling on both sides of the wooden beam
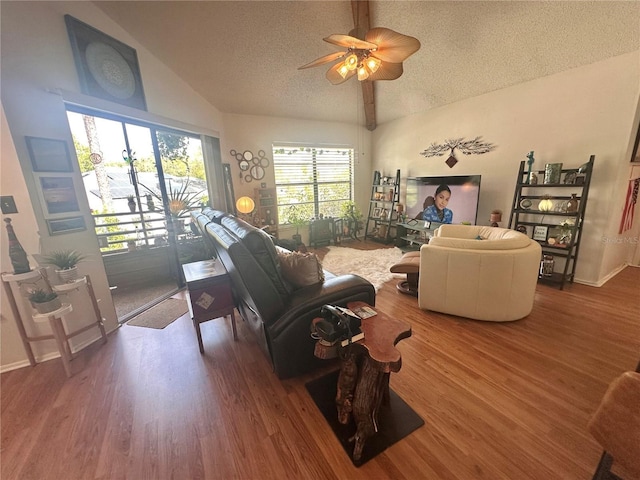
(242,56)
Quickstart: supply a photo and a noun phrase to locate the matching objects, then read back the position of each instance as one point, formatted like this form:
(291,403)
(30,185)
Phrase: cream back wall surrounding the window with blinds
(246,132)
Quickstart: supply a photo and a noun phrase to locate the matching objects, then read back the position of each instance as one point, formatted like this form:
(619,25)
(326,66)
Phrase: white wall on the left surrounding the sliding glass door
(38,74)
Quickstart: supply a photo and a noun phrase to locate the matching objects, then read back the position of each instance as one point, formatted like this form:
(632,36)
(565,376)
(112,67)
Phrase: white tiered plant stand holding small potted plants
(55,318)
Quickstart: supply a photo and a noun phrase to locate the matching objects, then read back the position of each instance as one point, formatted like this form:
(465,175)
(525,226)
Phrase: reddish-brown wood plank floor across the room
(500,401)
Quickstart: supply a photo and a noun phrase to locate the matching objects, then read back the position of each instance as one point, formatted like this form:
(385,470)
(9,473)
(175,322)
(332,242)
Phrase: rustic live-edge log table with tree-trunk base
(363,382)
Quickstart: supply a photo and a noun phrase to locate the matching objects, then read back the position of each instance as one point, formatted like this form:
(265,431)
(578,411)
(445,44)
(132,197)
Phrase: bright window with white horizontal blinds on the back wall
(311,181)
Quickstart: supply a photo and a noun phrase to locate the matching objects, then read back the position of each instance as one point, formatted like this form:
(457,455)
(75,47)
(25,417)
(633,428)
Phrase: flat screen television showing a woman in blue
(462,202)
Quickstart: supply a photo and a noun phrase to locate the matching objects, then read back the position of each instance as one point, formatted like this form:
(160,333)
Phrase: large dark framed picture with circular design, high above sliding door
(107,68)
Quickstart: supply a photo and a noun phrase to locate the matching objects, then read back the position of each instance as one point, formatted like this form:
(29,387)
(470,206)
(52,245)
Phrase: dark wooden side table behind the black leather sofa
(209,292)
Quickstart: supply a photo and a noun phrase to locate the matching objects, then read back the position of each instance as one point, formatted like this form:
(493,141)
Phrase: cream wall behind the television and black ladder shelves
(563,118)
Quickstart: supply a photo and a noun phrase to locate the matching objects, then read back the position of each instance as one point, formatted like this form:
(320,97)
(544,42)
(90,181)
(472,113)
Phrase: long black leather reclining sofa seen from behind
(279,315)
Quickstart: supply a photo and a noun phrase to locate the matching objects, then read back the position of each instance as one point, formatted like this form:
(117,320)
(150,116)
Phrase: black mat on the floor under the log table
(395,420)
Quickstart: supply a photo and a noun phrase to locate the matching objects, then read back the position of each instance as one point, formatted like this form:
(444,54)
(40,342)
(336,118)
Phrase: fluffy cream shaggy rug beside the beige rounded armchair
(370,264)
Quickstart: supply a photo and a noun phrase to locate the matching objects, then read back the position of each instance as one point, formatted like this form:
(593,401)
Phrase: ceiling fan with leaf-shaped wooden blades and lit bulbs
(378,56)
